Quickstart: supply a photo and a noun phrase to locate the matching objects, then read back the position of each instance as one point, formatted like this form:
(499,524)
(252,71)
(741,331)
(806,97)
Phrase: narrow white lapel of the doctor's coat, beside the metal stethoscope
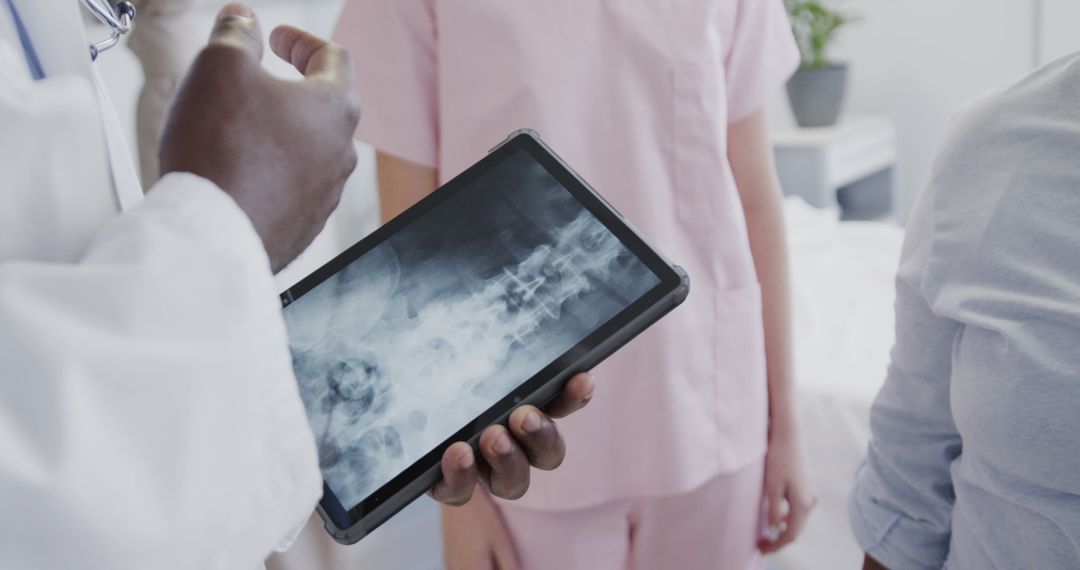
(59,35)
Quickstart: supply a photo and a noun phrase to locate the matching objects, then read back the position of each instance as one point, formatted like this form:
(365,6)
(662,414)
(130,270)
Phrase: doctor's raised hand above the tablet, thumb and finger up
(282,150)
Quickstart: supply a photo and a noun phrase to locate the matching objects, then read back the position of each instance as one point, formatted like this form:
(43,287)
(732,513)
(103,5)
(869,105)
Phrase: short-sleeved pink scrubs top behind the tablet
(638,97)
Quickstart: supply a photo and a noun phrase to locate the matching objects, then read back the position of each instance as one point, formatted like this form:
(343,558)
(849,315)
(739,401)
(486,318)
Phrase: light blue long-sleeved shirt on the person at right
(976,458)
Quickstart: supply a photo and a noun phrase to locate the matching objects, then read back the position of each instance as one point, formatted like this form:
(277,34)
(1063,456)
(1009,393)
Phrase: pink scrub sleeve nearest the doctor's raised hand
(393,44)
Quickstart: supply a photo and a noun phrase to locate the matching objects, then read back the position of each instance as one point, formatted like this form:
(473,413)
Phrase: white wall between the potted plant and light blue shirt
(921,61)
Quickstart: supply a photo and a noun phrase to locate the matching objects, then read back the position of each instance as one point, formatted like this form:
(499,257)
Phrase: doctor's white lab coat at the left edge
(150,418)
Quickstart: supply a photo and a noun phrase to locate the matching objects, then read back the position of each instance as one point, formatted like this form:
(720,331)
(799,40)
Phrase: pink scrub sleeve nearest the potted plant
(761,56)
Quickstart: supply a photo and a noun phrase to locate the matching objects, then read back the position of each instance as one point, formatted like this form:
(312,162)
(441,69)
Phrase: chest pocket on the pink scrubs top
(697,99)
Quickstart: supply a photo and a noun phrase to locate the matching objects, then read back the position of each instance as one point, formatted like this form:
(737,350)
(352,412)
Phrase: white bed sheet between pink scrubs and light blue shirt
(843,288)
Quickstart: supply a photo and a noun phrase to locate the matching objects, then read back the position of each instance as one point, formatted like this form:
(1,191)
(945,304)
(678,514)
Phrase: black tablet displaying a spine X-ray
(489,294)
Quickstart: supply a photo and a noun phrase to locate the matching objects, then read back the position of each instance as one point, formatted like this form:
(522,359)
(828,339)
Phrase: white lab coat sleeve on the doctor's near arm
(150,417)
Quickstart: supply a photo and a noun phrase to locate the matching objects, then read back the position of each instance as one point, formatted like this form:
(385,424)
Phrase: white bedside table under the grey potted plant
(849,166)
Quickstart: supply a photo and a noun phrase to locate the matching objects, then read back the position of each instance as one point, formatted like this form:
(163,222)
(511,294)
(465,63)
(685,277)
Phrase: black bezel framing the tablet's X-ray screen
(670,281)
